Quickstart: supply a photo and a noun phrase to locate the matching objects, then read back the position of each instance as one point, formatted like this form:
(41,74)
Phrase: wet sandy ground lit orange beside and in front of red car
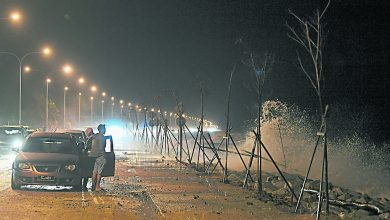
(145,186)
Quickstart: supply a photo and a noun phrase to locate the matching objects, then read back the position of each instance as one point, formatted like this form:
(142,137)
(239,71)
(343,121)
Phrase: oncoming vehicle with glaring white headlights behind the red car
(12,136)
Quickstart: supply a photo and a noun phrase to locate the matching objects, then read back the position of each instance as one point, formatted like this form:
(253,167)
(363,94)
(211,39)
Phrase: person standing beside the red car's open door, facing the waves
(98,152)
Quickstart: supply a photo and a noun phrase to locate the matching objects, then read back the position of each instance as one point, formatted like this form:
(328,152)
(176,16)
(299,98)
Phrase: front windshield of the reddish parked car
(50,145)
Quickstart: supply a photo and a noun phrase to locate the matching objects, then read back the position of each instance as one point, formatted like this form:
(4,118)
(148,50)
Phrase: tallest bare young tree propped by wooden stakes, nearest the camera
(310,36)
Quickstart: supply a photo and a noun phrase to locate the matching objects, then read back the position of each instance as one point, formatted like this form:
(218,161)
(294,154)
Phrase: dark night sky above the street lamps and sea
(138,50)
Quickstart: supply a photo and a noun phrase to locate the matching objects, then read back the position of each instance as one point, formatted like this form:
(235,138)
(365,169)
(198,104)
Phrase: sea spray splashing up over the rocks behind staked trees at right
(355,162)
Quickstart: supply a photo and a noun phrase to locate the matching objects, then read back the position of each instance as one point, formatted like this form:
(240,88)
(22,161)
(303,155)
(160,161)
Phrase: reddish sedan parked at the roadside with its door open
(53,158)
